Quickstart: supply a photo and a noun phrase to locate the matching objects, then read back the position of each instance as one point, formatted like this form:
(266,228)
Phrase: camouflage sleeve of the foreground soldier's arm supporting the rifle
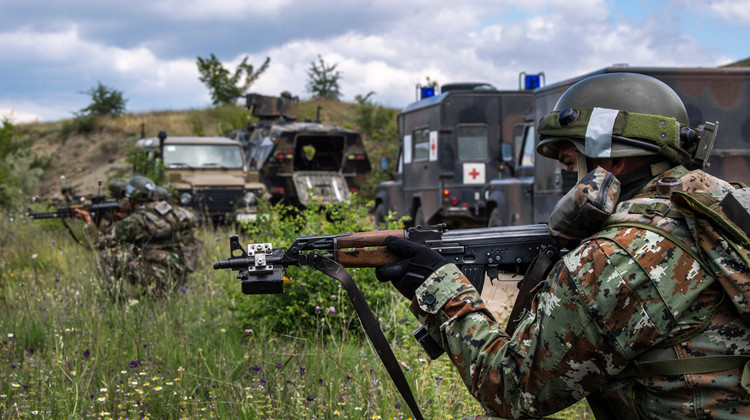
(584,326)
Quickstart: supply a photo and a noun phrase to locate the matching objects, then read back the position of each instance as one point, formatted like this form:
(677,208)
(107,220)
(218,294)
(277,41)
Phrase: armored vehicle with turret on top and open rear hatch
(301,162)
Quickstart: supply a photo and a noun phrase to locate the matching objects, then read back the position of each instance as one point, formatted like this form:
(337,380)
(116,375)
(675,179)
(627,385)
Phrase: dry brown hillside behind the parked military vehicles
(83,154)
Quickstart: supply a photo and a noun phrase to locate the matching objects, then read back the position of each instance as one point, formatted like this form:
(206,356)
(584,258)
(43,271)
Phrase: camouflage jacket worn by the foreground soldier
(625,295)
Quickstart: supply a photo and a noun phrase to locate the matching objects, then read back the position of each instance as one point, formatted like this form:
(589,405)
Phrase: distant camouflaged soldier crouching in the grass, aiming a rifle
(153,246)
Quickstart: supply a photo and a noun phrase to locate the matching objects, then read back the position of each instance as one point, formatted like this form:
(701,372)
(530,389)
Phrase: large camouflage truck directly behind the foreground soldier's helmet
(528,192)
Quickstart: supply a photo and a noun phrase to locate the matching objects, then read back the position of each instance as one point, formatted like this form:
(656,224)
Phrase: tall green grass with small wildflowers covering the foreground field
(68,351)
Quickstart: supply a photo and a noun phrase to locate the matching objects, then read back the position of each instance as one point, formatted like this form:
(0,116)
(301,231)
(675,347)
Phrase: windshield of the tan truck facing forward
(202,156)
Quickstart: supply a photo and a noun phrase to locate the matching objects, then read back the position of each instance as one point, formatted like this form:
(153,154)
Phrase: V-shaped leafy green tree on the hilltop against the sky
(223,86)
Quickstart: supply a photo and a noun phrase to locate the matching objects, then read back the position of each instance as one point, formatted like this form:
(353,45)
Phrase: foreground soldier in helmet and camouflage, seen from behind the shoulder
(647,316)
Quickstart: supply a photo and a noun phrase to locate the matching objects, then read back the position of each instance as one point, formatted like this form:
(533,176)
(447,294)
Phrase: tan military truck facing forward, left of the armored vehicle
(208,174)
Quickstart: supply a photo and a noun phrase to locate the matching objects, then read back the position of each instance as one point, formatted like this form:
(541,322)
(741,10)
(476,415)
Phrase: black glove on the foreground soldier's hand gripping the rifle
(409,273)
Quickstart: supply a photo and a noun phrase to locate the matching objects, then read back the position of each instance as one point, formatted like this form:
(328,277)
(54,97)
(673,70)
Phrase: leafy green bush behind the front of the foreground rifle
(311,296)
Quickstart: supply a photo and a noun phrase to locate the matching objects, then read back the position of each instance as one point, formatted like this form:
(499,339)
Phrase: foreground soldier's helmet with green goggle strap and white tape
(619,115)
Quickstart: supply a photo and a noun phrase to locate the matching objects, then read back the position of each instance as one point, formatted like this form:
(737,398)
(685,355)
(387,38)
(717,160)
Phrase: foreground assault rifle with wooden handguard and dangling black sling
(477,252)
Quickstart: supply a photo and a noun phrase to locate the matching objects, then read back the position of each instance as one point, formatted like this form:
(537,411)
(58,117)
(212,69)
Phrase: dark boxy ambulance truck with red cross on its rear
(450,147)
